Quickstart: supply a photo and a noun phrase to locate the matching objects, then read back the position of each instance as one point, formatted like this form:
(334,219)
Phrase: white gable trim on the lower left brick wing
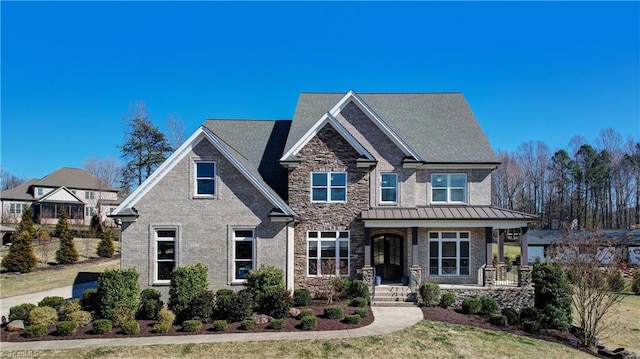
(182,151)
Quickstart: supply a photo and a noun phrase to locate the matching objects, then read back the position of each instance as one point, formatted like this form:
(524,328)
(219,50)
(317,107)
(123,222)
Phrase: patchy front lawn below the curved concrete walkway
(423,340)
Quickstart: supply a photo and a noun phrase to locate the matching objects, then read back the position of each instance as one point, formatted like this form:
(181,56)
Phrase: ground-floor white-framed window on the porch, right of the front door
(449,253)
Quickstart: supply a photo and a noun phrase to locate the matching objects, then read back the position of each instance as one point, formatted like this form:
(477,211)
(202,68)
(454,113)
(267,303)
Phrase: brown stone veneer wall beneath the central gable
(328,151)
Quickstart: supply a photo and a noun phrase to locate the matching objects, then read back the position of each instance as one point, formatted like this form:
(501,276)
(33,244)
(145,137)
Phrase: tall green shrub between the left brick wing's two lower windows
(186,283)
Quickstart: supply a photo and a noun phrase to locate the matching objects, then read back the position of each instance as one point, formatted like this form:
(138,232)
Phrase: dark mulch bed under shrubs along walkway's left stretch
(146,327)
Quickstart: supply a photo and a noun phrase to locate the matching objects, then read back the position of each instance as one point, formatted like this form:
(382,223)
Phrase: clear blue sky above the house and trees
(530,71)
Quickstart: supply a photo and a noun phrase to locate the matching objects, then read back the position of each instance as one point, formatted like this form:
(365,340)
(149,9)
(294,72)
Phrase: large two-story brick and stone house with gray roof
(356,185)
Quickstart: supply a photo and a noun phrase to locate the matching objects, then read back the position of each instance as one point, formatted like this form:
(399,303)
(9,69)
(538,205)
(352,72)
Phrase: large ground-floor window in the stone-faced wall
(328,253)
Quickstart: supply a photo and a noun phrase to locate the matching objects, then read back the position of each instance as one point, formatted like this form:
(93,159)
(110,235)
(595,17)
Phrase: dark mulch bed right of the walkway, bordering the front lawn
(448,315)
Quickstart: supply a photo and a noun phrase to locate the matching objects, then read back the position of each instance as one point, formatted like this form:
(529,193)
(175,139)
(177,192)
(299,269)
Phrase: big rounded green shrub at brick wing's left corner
(117,289)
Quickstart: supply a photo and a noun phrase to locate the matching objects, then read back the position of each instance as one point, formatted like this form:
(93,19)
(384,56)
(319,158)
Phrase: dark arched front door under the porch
(387,256)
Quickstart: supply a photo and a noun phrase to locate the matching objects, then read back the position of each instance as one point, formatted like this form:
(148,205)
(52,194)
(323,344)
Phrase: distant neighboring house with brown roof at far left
(79,192)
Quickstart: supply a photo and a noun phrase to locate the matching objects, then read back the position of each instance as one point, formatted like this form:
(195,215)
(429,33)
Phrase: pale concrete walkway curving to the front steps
(386,320)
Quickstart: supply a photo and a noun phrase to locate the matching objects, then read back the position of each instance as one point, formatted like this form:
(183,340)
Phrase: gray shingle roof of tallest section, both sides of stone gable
(440,127)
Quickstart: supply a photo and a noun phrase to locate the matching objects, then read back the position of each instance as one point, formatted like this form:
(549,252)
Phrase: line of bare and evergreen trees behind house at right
(596,185)
